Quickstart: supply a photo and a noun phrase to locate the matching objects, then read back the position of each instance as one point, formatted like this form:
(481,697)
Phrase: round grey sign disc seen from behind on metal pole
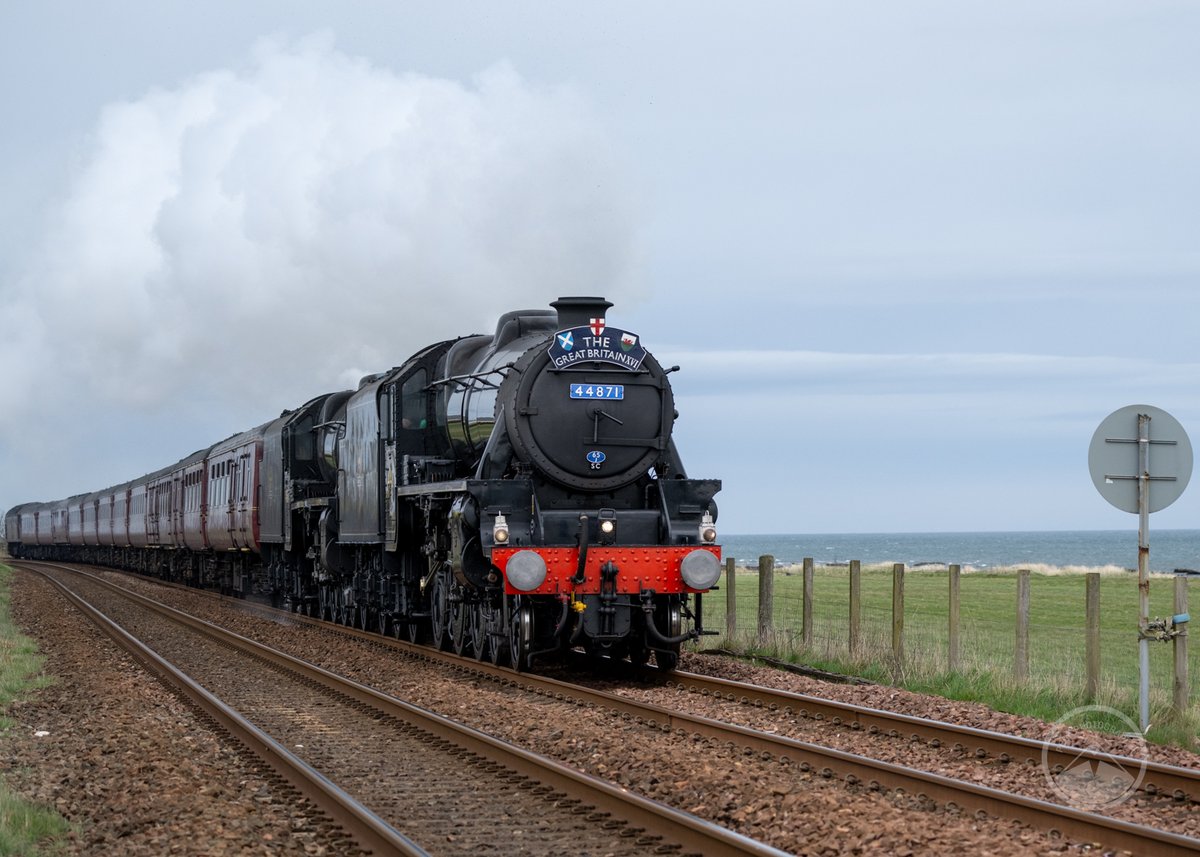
(1114,458)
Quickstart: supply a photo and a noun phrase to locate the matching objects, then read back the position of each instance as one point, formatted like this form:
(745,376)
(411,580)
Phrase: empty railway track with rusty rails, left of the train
(341,727)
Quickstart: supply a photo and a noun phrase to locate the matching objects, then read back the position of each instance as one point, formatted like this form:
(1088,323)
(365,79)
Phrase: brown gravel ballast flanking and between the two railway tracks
(154,736)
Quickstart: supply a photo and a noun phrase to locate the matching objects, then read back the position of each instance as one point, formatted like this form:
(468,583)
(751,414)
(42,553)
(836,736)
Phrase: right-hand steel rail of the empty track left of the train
(657,819)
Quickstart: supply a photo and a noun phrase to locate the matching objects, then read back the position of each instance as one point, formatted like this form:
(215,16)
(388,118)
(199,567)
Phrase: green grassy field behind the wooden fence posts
(988,613)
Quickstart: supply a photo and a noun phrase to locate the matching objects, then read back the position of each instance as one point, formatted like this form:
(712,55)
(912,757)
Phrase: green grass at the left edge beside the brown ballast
(25,829)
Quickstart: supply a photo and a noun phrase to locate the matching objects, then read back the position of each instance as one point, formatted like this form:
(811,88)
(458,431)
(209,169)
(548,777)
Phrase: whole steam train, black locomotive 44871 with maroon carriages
(512,498)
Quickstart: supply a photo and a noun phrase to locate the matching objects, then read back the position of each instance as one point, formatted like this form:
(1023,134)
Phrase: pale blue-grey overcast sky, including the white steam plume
(909,255)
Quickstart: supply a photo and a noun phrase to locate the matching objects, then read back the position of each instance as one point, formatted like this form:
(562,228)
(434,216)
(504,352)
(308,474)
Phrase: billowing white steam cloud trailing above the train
(255,237)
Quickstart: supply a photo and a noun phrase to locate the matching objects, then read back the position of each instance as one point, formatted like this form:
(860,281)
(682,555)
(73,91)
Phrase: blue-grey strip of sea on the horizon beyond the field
(1171,550)
